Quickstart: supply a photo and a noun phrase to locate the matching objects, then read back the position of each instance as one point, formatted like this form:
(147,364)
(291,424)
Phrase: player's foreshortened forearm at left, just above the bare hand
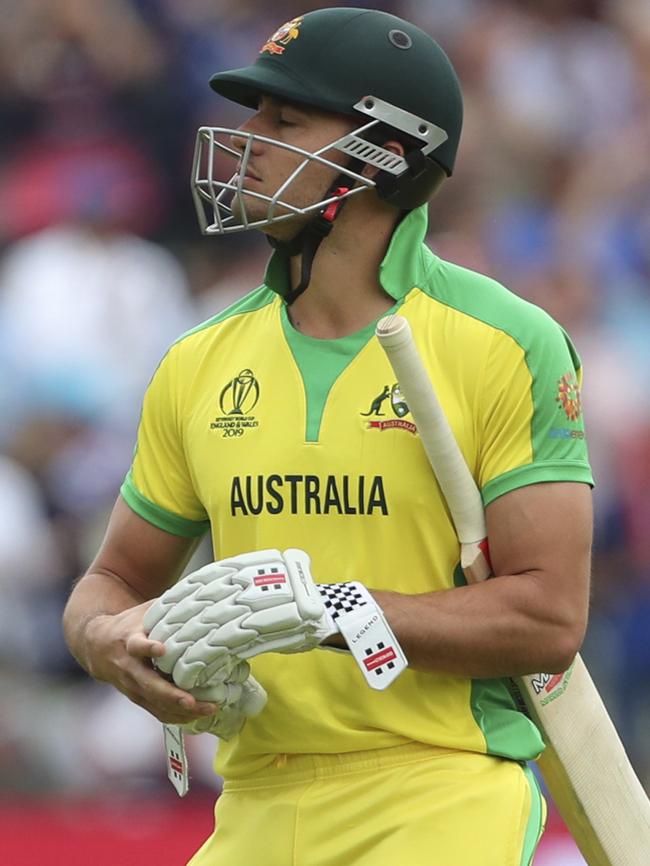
(96,595)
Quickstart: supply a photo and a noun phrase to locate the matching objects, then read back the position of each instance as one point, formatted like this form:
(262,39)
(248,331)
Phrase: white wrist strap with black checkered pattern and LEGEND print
(361,622)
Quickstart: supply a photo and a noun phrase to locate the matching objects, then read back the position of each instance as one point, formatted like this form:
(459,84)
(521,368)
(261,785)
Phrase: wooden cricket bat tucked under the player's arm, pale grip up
(584,764)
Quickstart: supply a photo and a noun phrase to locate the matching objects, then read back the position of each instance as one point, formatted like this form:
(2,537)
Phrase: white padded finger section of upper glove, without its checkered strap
(235,609)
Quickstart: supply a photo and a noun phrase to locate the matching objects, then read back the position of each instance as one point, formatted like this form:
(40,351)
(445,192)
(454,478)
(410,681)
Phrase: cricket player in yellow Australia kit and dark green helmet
(278,427)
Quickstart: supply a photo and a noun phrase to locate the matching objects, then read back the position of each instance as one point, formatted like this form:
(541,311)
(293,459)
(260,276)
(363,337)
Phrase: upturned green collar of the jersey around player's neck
(402,266)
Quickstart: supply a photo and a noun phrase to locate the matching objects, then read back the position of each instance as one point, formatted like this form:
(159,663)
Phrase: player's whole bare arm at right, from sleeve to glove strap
(532,616)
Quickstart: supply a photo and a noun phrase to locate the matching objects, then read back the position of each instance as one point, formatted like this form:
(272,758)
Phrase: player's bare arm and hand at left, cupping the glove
(103,618)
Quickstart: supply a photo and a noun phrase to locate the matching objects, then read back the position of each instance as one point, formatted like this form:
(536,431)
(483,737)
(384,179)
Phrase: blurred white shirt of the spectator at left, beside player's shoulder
(86,311)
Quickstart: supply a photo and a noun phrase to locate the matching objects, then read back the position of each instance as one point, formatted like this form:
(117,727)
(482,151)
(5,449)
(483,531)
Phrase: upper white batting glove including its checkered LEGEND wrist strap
(268,602)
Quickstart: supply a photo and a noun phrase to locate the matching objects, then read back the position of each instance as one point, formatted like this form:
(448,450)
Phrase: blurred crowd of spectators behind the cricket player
(102,265)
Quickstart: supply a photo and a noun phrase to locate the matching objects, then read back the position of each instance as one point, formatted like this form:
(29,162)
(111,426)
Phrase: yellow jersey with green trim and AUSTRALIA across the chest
(273,439)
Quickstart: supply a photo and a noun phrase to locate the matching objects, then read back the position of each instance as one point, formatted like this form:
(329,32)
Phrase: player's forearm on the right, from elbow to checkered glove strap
(502,627)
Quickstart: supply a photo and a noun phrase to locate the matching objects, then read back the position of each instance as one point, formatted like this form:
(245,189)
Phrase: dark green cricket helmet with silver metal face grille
(364,63)
